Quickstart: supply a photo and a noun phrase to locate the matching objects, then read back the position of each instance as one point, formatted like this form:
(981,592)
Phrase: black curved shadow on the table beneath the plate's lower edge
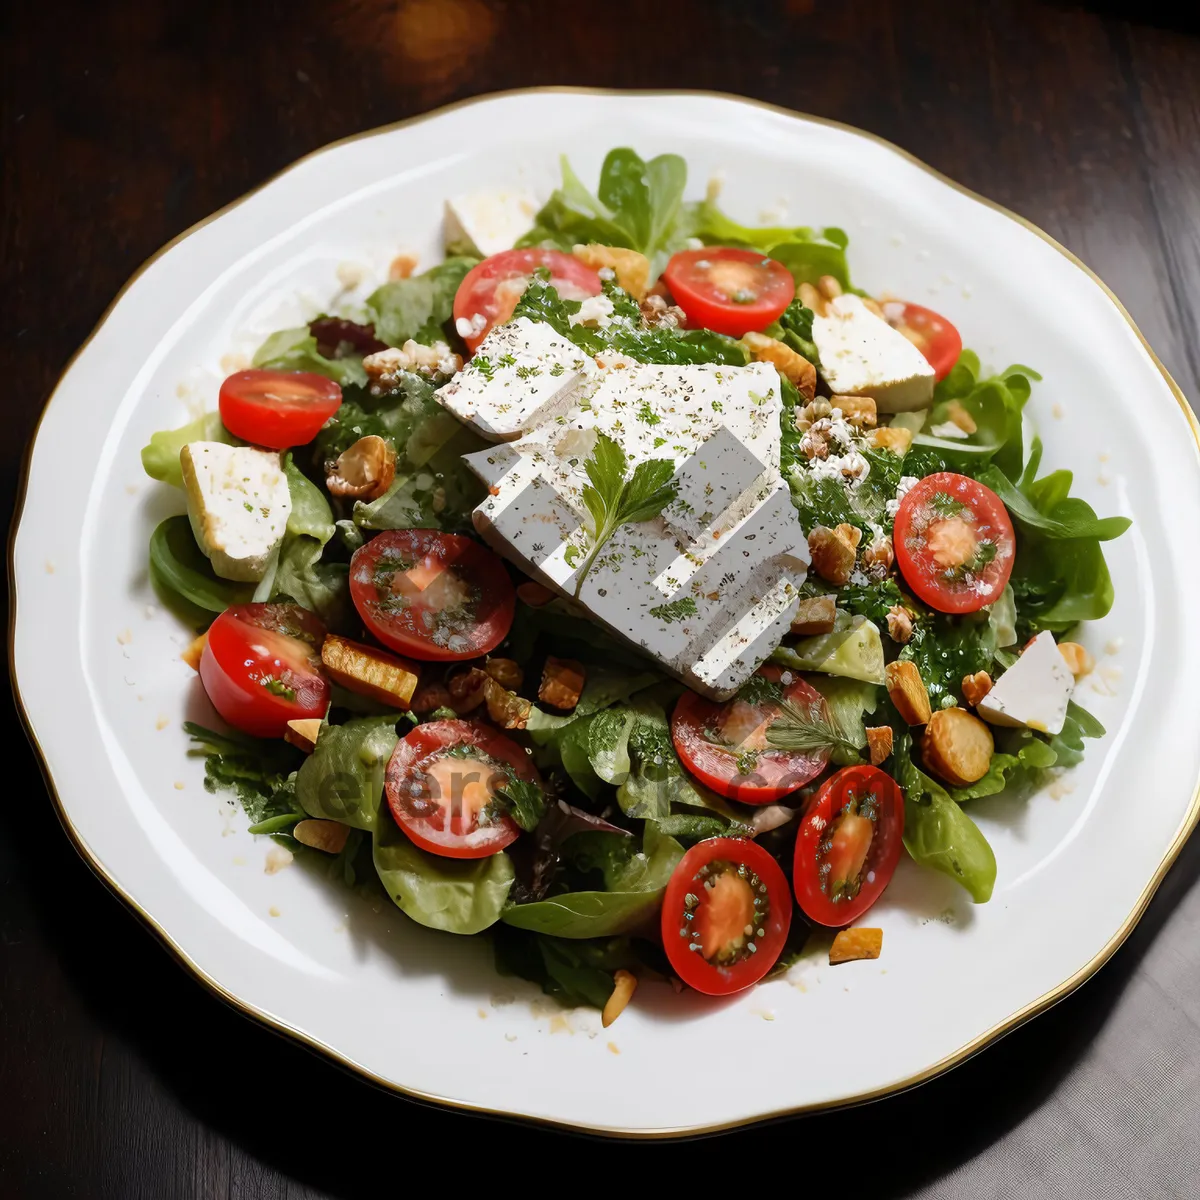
(305,1118)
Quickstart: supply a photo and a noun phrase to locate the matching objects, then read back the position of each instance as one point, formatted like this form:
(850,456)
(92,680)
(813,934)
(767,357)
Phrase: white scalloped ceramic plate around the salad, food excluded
(105,691)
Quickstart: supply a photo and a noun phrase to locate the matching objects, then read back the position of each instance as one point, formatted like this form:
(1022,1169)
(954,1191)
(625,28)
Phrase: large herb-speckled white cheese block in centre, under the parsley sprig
(711,586)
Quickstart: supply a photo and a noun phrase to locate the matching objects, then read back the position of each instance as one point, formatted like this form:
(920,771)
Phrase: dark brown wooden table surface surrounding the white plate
(124,123)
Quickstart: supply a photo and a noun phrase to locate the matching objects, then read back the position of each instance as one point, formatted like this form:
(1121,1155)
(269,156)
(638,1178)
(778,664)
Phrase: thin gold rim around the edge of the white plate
(1192,818)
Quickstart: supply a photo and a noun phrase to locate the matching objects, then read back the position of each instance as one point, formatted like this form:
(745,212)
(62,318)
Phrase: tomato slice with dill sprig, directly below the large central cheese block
(725,746)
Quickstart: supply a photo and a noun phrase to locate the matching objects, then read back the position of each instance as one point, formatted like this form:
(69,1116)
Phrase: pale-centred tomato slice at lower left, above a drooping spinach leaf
(441,781)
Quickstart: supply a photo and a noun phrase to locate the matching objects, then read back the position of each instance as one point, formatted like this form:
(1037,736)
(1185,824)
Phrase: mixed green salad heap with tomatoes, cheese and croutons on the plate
(629,589)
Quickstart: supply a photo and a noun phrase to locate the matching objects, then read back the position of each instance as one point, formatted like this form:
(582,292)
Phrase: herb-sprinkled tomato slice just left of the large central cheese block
(434,596)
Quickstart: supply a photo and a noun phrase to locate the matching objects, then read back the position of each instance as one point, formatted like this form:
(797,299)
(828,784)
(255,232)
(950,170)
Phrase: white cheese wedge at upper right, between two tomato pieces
(863,356)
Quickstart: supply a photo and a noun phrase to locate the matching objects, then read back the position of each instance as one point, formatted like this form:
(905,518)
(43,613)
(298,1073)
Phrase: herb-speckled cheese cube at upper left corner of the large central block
(521,375)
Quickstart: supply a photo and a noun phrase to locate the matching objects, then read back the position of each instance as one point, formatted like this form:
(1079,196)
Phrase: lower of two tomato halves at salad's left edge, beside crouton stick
(262,668)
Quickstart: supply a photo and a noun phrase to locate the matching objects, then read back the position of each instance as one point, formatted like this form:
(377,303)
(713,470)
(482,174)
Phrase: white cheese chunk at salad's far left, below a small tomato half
(238,502)
